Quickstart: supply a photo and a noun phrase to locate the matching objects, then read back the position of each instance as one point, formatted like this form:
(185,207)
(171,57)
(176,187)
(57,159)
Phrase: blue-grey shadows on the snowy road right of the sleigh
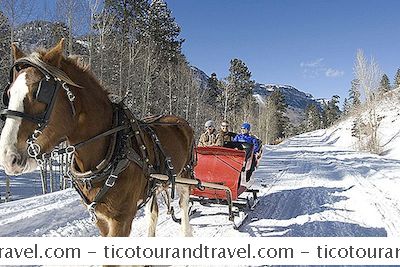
(307,201)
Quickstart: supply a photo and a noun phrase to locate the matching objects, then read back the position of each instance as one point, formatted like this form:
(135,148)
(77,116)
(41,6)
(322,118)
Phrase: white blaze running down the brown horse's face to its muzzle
(13,162)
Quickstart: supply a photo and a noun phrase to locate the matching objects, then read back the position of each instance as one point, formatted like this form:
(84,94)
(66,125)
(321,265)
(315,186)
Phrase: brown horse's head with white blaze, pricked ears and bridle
(31,107)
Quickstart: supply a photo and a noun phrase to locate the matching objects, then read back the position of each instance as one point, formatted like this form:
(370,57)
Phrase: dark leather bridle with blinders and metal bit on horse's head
(54,79)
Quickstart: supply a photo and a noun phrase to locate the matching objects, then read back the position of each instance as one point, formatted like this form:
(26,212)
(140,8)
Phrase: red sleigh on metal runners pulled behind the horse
(226,173)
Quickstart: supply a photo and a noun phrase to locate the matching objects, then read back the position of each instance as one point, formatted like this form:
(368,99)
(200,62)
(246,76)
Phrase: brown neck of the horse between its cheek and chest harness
(95,116)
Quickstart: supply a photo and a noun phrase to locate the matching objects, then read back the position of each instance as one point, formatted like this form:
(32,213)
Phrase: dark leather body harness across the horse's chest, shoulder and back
(124,153)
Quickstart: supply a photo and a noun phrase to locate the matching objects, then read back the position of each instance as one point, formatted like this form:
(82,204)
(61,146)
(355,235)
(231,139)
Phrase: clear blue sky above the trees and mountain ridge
(309,44)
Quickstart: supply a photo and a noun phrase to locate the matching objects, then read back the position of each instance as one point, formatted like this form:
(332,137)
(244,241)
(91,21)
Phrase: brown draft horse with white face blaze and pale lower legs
(94,115)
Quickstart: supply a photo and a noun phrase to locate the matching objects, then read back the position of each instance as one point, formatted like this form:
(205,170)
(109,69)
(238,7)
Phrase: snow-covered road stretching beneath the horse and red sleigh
(308,187)
